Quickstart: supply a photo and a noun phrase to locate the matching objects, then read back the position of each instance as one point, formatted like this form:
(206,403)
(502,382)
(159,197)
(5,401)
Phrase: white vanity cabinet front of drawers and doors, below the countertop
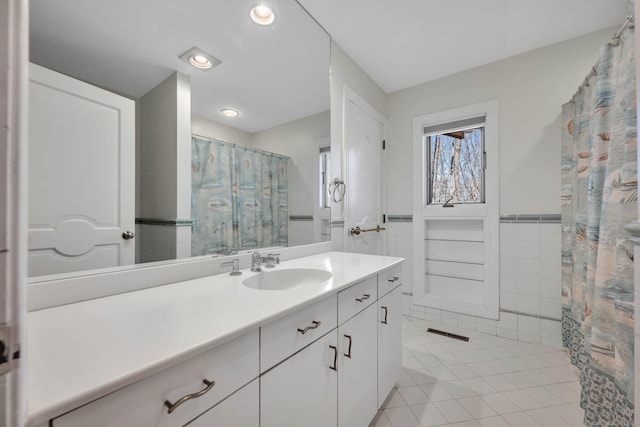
(330,363)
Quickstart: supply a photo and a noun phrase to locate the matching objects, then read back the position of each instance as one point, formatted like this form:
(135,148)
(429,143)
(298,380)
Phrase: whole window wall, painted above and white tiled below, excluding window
(531,89)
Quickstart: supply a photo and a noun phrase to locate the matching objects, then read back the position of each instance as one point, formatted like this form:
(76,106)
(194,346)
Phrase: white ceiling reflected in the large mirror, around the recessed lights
(272,74)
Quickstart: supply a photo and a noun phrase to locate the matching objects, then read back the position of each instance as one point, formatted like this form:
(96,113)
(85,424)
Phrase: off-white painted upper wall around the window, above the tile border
(531,89)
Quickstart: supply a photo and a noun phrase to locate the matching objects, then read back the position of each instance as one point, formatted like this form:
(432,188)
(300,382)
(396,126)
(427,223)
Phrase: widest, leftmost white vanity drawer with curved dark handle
(230,366)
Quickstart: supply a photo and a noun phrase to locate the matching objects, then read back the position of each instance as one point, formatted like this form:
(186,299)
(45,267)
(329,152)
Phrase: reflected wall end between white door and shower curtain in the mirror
(164,170)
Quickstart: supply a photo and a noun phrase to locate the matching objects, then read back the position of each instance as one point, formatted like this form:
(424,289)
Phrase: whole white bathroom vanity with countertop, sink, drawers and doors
(314,341)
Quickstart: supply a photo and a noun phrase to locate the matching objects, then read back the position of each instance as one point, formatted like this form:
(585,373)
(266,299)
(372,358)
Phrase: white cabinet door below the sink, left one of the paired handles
(302,390)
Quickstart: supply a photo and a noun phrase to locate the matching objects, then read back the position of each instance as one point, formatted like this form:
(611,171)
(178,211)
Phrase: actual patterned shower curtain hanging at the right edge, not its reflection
(599,197)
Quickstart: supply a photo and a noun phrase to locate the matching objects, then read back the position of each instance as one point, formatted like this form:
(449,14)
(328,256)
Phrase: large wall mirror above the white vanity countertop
(119,86)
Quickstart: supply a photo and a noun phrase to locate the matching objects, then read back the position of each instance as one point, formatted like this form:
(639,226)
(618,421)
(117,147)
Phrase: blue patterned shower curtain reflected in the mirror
(239,198)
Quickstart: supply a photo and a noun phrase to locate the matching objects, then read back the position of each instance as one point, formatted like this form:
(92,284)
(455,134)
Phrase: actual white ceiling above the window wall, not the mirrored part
(402,43)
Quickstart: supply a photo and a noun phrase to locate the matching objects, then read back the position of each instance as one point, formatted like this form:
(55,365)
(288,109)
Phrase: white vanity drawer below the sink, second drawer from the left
(283,337)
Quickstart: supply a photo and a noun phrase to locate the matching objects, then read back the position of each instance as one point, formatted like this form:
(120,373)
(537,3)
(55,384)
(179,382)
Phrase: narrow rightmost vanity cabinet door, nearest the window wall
(389,342)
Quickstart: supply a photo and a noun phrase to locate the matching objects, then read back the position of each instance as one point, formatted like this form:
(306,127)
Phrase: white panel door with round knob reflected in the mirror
(81,175)
